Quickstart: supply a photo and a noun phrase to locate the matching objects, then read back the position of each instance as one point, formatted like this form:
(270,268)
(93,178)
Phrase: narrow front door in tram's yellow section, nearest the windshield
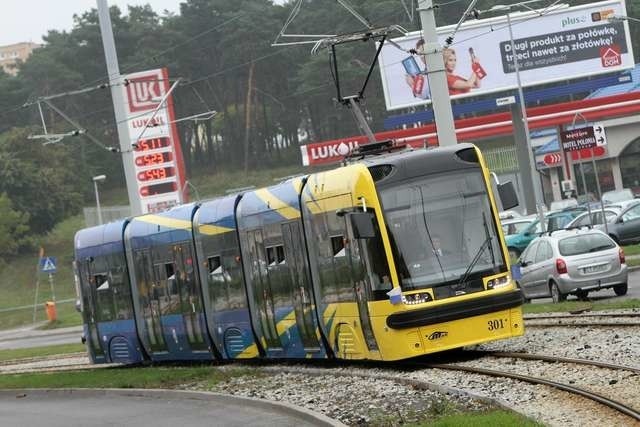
(362,284)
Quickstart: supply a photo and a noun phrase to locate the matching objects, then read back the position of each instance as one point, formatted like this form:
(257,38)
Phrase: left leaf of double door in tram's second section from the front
(262,294)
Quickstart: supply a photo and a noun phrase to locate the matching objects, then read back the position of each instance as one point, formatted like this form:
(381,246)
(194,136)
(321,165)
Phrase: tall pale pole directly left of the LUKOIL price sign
(116,84)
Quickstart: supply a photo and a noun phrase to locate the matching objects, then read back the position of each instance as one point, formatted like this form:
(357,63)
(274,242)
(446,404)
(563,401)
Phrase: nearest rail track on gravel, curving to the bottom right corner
(517,370)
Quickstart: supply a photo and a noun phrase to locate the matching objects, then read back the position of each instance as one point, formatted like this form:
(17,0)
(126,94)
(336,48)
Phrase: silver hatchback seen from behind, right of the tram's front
(571,262)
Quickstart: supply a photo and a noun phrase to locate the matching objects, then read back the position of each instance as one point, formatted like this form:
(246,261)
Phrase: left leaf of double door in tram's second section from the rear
(151,296)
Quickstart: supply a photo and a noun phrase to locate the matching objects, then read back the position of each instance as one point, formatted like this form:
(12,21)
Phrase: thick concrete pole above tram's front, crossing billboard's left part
(436,76)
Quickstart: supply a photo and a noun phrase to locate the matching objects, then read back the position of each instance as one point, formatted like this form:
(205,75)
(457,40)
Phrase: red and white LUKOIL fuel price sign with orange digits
(157,155)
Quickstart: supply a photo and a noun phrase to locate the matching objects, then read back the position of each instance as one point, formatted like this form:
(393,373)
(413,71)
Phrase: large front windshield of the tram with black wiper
(442,230)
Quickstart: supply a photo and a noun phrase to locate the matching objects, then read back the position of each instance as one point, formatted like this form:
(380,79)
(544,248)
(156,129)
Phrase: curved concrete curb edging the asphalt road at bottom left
(294,411)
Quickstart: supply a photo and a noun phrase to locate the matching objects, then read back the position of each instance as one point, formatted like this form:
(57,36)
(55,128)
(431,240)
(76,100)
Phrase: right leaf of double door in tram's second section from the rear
(191,303)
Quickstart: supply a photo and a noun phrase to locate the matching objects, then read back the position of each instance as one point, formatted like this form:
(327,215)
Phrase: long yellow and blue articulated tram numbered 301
(390,257)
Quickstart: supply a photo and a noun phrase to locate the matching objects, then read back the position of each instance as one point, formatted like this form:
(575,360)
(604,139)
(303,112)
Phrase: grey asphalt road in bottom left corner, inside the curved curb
(147,408)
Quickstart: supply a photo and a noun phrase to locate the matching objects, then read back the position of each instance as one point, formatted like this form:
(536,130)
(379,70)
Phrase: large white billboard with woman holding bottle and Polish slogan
(551,45)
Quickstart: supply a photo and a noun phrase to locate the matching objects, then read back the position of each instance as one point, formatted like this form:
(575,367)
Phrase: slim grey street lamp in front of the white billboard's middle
(530,172)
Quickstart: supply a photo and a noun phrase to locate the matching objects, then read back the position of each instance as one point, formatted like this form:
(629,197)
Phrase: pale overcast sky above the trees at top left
(28,20)
